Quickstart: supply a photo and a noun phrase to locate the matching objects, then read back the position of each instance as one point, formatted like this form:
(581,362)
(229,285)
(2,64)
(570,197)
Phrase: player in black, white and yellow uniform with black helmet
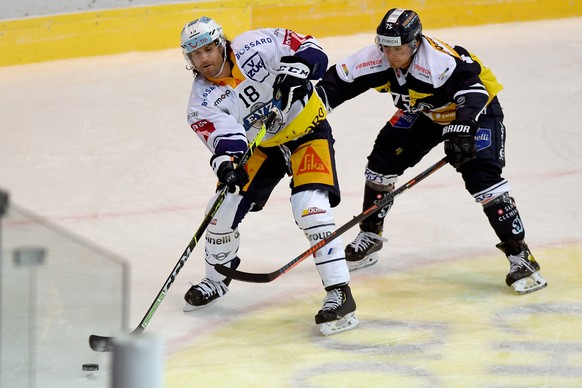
(442,93)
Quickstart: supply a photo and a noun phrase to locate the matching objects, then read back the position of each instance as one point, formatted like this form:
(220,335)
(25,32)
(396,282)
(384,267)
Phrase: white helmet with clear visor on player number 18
(199,33)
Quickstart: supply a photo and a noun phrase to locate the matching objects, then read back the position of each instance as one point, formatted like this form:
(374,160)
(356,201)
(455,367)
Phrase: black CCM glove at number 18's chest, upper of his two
(292,83)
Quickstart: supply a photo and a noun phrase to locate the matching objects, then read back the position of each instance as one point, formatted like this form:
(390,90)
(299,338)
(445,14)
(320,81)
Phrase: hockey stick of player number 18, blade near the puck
(105,344)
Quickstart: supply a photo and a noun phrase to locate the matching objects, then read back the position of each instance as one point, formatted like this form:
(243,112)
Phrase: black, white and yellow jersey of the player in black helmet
(443,82)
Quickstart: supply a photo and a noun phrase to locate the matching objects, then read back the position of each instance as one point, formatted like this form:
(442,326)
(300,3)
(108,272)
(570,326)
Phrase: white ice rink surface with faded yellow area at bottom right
(100,146)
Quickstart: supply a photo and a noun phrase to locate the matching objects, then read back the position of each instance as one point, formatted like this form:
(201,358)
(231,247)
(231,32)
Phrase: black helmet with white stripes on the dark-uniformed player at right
(399,27)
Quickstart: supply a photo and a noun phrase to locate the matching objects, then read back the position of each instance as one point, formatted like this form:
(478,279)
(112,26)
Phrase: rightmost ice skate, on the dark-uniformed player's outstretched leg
(524,271)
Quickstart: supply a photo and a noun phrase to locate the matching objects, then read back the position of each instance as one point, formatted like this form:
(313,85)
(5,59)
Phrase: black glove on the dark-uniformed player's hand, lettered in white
(460,144)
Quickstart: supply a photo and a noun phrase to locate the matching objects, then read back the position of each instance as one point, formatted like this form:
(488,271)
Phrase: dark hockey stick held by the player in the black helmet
(379,204)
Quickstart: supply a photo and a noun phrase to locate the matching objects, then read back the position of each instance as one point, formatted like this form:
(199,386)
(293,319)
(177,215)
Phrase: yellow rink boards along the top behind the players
(150,28)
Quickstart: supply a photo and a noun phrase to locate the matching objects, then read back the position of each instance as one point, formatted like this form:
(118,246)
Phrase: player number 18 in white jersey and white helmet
(236,84)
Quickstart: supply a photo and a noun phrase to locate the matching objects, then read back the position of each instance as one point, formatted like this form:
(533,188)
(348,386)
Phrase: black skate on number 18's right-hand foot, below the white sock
(338,311)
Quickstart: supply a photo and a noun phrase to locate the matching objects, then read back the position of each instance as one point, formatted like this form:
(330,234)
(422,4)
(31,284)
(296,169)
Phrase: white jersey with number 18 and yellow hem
(226,113)
